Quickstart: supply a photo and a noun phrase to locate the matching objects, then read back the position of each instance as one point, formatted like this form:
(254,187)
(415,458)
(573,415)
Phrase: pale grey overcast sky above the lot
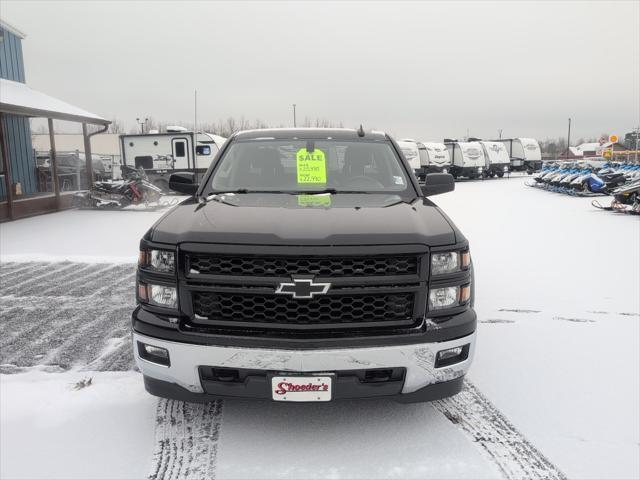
(425,70)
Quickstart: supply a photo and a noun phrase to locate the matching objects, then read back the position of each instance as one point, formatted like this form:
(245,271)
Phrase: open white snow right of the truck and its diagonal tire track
(558,287)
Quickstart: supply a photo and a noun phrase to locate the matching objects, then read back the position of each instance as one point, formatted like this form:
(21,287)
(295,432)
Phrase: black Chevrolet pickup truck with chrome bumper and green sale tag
(308,265)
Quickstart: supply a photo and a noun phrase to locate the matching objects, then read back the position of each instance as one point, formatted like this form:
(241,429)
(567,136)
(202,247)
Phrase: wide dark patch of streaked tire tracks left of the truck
(66,314)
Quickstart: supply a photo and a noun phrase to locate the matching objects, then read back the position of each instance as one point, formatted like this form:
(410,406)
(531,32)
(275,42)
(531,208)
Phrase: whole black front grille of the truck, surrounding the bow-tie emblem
(373,290)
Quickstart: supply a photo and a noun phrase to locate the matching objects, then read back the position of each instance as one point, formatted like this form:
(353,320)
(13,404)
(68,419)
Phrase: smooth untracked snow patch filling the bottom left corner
(50,430)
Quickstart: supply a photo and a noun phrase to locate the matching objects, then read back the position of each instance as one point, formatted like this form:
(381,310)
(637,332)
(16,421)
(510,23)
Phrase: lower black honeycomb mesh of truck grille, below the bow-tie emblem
(274,310)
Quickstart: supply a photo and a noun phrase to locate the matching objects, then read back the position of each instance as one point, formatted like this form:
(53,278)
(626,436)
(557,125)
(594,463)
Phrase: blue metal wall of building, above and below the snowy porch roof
(17,129)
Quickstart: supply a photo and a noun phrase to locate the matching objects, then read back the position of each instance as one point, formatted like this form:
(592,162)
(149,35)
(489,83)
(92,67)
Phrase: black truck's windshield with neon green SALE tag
(294,166)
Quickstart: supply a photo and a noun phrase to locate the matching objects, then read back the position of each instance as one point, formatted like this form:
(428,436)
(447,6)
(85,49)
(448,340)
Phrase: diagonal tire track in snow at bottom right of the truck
(514,455)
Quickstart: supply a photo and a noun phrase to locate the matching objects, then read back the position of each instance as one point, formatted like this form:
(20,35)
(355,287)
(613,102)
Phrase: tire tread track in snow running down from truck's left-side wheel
(186,440)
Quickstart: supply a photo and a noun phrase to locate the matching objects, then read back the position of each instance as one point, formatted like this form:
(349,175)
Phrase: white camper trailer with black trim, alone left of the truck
(161,154)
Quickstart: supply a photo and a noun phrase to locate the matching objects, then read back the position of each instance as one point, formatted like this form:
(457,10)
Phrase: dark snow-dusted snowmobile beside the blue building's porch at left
(134,190)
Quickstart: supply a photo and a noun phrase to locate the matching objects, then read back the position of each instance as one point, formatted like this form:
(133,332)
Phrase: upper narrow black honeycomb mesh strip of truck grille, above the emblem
(274,266)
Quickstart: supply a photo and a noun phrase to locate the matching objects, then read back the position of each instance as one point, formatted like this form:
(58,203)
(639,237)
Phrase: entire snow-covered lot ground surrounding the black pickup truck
(558,299)
